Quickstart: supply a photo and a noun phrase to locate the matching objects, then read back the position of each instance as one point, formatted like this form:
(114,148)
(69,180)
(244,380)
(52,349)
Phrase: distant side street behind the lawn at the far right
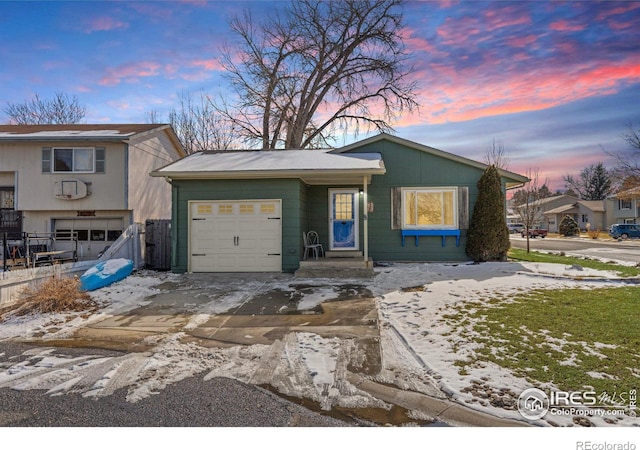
(623,251)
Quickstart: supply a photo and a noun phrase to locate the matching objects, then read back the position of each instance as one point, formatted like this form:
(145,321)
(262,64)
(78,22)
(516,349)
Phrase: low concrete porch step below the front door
(335,268)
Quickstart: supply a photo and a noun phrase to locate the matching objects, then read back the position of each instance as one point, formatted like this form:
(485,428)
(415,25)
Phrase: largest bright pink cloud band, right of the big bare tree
(456,96)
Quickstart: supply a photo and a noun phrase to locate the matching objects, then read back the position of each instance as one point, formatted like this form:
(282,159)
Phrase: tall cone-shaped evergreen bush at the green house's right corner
(488,236)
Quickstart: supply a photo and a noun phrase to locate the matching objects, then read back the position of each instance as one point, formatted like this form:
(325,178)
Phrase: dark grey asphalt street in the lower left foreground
(192,402)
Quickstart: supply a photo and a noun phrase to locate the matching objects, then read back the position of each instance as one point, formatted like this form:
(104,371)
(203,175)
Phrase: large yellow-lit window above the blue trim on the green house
(429,208)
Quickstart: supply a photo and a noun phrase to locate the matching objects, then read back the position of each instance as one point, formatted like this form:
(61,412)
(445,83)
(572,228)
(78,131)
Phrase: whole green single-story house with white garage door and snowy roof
(379,199)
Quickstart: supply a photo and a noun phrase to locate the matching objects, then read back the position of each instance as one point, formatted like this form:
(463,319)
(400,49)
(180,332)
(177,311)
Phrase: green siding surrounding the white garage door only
(294,205)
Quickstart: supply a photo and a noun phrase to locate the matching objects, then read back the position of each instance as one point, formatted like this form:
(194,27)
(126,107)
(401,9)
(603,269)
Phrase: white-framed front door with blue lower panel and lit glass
(343,219)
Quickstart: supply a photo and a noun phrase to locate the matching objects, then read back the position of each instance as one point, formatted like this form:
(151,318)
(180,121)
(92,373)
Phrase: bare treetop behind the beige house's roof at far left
(61,109)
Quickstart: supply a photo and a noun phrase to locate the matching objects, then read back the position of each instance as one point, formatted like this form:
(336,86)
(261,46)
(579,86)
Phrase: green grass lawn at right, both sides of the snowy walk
(574,339)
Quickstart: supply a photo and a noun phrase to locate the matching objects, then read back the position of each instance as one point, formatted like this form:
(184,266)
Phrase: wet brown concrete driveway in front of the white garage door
(265,315)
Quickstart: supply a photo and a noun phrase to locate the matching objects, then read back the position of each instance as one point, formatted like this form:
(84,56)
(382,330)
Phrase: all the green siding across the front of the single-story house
(307,207)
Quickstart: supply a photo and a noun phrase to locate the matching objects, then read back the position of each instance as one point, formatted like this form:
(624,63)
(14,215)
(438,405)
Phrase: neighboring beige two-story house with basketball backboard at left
(92,180)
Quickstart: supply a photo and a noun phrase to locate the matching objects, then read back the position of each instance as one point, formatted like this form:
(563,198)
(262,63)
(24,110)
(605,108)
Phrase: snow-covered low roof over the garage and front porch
(312,166)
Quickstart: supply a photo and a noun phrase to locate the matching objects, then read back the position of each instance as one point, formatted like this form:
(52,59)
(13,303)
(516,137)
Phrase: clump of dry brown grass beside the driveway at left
(56,295)
